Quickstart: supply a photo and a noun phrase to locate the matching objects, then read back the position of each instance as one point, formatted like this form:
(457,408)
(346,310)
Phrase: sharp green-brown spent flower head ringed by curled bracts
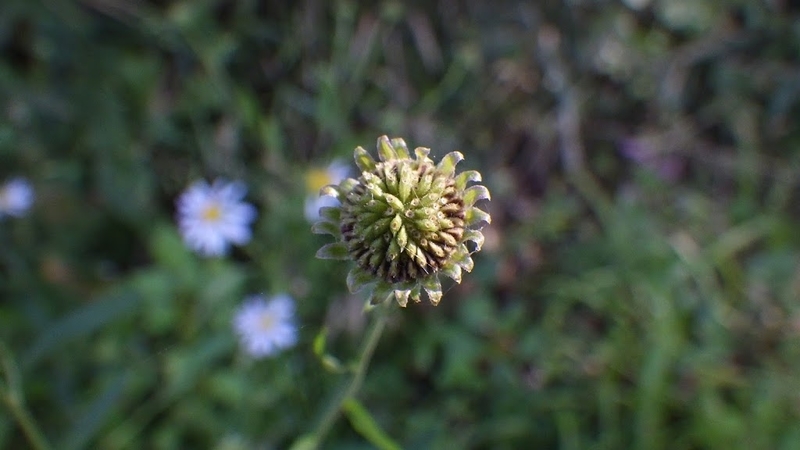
(404,222)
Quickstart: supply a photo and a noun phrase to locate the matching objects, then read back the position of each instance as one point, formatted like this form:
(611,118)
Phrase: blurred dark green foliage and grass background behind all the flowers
(638,289)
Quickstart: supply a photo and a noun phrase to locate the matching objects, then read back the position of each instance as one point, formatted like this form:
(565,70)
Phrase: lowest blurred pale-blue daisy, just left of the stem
(266,326)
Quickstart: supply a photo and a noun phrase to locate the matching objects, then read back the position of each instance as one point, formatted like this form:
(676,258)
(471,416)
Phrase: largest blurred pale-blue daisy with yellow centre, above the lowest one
(211,217)
